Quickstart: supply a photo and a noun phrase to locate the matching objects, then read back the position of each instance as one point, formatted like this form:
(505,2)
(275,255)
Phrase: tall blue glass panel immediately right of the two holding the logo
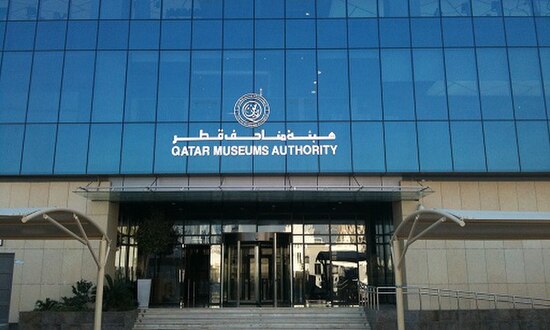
(301,85)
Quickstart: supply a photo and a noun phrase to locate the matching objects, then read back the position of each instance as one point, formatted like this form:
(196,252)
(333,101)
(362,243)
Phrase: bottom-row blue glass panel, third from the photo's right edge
(468,146)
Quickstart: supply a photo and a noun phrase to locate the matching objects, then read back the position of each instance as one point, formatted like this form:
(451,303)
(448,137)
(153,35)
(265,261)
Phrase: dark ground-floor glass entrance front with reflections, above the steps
(263,254)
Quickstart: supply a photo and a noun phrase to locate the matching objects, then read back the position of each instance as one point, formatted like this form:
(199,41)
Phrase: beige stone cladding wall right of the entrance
(508,267)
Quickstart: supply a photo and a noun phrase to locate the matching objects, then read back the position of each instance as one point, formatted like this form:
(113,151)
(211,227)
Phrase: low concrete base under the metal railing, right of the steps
(462,319)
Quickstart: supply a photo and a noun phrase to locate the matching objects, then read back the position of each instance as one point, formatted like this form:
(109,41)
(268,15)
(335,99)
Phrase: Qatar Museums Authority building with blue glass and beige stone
(283,139)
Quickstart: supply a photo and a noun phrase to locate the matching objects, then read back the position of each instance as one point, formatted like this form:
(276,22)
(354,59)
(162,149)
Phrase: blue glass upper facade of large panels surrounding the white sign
(101,87)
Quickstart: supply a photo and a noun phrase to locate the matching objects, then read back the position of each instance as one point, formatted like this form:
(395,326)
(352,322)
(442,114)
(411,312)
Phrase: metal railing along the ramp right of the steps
(370,297)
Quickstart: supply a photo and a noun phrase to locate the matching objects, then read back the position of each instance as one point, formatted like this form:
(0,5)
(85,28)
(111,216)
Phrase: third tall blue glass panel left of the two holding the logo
(141,86)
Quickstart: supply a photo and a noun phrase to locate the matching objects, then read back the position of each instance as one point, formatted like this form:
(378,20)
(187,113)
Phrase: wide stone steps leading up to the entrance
(253,318)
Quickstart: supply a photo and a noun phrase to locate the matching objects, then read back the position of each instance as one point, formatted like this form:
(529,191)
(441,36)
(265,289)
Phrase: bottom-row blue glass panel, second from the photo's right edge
(502,153)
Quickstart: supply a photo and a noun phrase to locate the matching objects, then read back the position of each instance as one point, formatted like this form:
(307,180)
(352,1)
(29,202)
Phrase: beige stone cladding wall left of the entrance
(48,268)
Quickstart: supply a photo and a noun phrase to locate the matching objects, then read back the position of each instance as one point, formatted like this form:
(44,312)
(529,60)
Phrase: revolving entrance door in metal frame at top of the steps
(256,269)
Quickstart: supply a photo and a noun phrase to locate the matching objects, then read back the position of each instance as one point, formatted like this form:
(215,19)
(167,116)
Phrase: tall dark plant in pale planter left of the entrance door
(155,237)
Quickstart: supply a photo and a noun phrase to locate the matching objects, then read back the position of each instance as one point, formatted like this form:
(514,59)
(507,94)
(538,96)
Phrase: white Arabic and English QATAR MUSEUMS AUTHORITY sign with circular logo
(252,110)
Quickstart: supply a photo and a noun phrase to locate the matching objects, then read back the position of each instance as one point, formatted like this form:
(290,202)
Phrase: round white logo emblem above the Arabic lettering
(251,110)
